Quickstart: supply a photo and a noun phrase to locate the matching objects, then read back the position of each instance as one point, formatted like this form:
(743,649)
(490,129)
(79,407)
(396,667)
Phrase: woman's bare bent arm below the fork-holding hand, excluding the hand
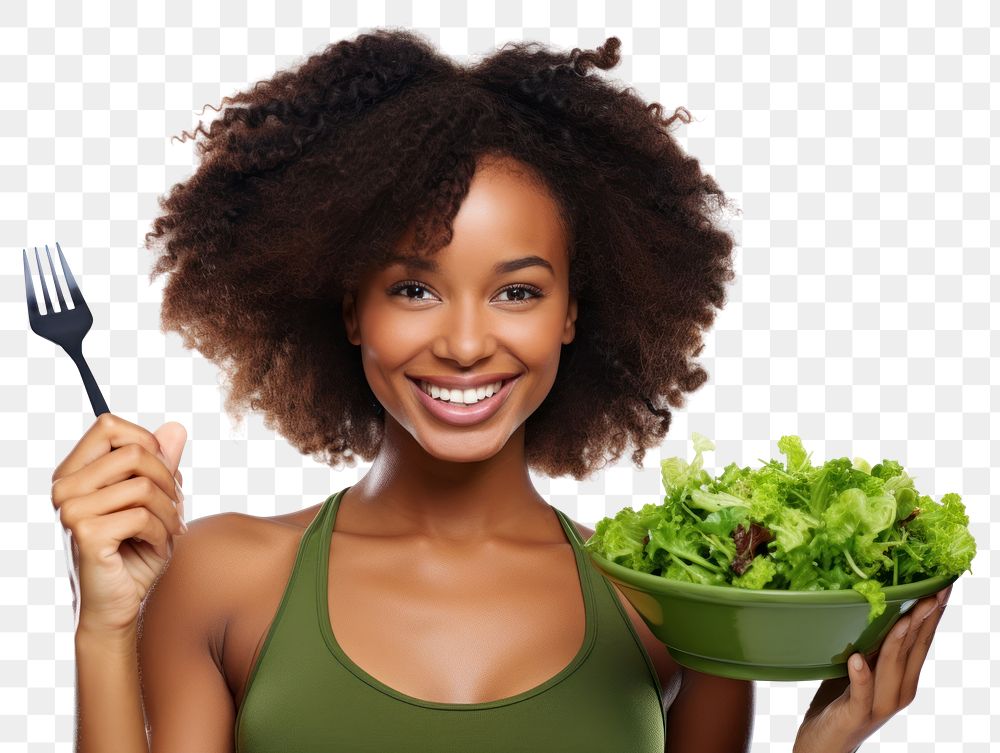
(158,687)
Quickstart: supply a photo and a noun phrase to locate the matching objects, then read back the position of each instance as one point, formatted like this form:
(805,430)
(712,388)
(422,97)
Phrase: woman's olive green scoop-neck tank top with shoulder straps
(305,695)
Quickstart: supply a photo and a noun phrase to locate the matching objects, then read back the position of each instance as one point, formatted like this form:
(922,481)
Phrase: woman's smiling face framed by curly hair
(491,307)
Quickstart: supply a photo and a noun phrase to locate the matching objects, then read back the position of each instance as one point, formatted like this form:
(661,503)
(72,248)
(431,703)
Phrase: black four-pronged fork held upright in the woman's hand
(66,327)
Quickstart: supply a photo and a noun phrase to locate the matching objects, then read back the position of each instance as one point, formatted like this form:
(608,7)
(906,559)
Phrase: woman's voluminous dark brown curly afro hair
(311,177)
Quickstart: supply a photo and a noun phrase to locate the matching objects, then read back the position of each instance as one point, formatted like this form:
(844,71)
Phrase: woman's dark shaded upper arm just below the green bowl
(710,715)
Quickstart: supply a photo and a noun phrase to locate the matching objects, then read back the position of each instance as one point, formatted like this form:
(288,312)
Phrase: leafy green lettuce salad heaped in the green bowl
(791,525)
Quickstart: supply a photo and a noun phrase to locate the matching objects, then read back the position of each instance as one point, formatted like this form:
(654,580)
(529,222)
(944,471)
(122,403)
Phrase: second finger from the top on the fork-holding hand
(132,460)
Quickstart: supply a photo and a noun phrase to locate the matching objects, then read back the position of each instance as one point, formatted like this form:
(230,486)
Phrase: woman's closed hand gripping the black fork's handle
(118,501)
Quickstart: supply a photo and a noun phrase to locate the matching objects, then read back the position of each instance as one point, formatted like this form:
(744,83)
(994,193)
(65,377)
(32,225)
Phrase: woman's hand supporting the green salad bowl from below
(839,720)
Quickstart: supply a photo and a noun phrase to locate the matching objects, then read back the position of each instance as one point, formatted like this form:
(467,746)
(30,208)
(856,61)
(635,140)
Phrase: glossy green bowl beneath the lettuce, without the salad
(762,634)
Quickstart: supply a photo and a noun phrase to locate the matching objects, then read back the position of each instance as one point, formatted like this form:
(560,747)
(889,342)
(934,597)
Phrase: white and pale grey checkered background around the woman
(856,136)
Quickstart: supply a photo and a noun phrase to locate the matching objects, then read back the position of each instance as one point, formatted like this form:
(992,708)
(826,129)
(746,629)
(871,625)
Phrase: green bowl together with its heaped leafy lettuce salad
(781,572)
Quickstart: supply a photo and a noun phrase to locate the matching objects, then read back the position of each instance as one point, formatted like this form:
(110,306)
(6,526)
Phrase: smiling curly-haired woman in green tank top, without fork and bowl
(459,274)
